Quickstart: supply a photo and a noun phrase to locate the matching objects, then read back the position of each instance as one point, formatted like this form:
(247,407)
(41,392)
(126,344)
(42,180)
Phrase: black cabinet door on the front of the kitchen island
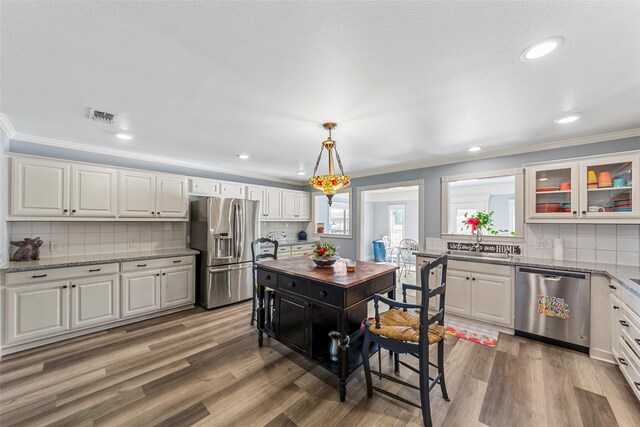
(292,324)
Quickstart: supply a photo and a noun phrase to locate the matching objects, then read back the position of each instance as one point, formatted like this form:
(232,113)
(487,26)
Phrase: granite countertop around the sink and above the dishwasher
(621,273)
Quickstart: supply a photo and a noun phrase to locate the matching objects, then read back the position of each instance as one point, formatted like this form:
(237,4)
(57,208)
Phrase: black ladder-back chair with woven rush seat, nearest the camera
(402,330)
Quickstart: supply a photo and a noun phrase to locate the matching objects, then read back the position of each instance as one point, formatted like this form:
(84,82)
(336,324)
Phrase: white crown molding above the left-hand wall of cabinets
(51,142)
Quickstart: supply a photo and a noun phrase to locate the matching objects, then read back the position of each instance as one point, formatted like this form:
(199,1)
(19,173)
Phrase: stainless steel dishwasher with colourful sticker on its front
(553,306)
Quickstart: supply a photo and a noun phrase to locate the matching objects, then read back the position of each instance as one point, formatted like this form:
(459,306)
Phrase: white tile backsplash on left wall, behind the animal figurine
(89,238)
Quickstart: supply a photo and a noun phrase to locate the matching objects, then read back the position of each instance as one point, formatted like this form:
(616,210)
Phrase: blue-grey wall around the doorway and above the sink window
(432,175)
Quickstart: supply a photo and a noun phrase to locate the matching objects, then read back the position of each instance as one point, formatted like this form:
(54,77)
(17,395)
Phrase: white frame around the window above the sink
(518,173)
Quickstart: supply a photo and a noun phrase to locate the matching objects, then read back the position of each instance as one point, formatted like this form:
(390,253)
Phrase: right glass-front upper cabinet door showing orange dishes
(609,189)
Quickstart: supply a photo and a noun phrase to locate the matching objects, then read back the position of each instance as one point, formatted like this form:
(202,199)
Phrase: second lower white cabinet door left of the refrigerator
(140,293)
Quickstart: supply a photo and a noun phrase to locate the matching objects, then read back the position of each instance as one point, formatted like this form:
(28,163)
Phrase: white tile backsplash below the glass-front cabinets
(604,243)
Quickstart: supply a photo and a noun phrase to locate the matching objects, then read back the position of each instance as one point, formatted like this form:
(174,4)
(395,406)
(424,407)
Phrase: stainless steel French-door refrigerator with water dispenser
(222,229)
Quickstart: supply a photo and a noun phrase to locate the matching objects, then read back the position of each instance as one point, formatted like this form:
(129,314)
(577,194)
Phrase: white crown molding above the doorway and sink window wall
(469,157)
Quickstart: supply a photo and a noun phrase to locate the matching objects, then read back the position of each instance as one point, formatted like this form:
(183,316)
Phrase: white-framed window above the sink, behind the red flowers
(500,192)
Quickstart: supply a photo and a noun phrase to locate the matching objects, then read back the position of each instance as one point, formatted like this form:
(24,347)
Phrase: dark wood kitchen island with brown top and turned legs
(300,304)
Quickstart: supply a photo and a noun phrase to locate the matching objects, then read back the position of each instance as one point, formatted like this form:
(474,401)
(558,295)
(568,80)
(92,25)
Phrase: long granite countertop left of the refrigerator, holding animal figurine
(78,260)
